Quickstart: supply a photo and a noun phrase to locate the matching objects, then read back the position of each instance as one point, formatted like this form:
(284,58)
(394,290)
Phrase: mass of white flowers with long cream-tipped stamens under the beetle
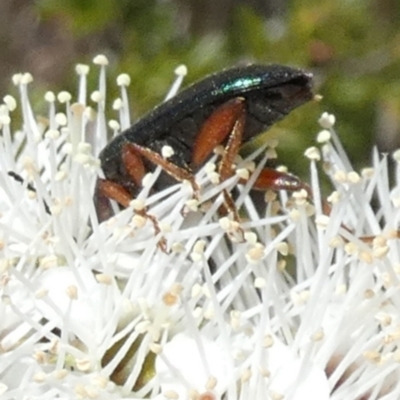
(306,307)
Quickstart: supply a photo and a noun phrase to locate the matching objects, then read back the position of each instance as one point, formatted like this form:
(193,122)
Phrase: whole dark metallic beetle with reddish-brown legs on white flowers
(229,108)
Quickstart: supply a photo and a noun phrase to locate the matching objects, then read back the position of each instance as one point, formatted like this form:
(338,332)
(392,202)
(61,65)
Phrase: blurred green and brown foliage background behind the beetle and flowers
(352,47)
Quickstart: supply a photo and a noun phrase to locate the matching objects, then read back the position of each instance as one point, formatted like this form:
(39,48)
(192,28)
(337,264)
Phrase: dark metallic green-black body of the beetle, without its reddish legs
(270,92)
